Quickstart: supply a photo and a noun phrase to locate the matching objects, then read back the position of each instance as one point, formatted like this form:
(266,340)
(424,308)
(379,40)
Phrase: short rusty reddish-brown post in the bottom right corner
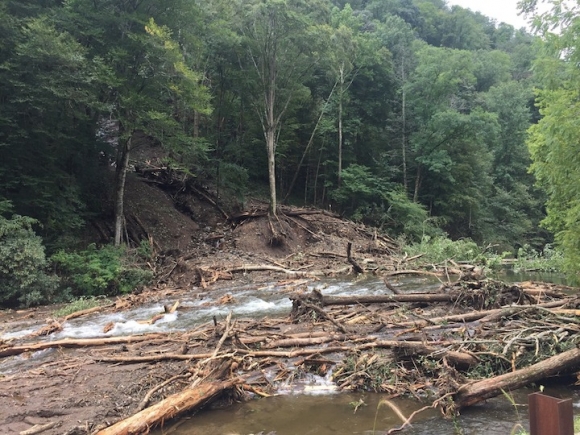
(550,416)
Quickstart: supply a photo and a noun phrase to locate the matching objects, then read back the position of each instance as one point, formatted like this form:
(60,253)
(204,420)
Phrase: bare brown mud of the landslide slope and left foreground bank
(195,246)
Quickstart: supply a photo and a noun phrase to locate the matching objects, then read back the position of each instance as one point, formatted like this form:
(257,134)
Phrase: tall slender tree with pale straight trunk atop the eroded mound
(279,50)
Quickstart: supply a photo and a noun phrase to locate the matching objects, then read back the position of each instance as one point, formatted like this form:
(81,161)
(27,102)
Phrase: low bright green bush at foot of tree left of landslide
(99,271)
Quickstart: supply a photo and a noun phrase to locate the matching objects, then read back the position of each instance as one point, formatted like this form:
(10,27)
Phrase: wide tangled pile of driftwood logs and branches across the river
(452,348)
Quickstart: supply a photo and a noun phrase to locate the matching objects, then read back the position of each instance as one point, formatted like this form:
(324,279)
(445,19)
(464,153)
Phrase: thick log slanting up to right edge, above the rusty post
(476,392)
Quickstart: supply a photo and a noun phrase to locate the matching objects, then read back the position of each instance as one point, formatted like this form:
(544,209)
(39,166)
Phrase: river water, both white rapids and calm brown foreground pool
(313,406)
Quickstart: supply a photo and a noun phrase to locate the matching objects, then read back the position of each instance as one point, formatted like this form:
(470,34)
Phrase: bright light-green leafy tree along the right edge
(554,140)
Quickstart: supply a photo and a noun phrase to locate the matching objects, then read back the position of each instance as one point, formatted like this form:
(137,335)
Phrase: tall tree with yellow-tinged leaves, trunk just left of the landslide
(151,82)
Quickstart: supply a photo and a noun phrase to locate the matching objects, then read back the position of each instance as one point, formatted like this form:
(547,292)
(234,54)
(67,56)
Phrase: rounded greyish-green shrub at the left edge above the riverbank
(23,279)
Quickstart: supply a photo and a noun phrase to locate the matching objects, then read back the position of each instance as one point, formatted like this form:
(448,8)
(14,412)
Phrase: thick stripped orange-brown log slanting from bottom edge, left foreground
(172,406)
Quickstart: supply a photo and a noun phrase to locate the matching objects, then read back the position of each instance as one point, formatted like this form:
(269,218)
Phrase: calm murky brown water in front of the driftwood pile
(333,414)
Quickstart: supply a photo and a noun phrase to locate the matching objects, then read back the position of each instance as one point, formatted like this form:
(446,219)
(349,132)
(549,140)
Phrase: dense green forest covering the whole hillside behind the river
(412,116)
